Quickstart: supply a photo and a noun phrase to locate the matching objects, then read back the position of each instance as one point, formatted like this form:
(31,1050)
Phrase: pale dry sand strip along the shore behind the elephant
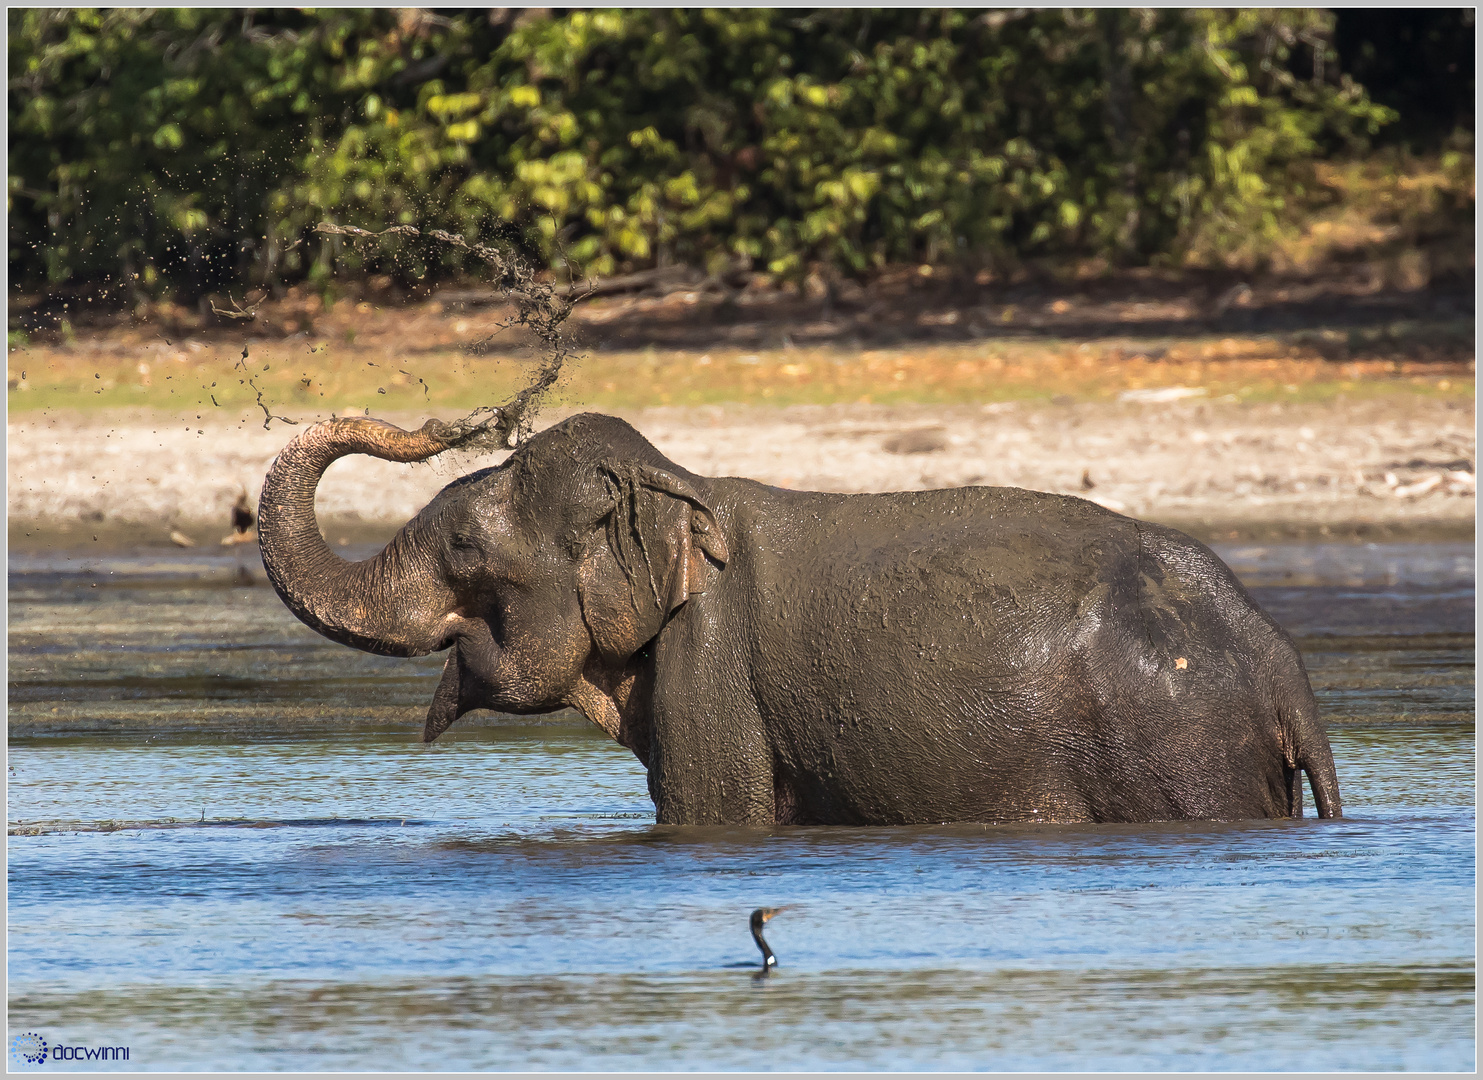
(1349,468)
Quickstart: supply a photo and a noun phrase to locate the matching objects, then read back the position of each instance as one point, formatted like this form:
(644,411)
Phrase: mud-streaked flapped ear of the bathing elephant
(650,559)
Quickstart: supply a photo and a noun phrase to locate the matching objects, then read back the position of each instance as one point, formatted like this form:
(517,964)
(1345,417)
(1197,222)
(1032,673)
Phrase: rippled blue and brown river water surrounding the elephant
(229,852)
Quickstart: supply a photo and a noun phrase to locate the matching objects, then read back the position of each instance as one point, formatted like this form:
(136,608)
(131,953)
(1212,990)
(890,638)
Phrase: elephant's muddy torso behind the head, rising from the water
(978,655)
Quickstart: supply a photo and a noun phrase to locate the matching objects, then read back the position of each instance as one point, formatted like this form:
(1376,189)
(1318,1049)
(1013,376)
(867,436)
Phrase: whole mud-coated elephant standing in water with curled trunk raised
(972,655)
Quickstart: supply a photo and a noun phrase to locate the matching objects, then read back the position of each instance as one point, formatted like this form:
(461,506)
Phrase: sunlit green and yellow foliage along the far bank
(199,148)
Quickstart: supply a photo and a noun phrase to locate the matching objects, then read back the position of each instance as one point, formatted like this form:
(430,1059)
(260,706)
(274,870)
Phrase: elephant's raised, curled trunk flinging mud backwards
(394,603)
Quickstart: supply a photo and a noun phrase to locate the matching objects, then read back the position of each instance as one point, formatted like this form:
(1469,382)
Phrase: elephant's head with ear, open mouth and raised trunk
(546,576)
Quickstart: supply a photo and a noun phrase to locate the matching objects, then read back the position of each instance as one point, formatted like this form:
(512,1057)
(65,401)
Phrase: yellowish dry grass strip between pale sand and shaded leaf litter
(317,379)
